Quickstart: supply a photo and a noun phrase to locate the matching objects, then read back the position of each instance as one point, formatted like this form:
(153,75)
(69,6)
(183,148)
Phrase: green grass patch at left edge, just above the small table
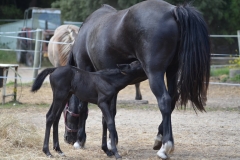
(8,57)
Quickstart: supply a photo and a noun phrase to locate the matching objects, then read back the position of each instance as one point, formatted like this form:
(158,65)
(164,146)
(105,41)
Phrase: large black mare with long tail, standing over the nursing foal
(165,39)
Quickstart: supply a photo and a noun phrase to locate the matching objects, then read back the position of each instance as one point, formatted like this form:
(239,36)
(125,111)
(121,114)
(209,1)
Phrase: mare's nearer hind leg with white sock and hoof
(158,88)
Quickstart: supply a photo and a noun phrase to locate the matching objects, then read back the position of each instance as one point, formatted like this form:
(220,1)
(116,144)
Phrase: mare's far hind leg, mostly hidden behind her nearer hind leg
(171,75)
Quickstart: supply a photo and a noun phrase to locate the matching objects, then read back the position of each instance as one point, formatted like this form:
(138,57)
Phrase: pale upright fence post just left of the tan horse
(37,53)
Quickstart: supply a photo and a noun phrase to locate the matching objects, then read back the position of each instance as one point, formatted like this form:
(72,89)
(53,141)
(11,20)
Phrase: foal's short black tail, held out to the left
(40,78)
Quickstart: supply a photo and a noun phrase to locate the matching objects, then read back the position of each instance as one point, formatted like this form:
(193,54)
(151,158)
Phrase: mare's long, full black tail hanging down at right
(194,56)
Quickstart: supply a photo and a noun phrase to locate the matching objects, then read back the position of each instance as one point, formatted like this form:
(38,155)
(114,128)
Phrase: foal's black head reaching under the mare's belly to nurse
(134,70)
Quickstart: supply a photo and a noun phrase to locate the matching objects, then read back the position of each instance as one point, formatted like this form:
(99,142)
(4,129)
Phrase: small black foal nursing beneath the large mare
(95,87)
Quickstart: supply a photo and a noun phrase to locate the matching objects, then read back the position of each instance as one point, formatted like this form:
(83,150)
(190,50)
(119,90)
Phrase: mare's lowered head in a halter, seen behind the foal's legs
(71,118)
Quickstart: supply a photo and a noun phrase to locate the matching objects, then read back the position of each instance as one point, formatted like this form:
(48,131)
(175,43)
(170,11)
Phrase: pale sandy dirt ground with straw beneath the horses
(203,136)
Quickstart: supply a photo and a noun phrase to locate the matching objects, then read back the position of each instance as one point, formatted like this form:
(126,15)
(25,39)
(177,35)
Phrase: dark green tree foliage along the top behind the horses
(222,16)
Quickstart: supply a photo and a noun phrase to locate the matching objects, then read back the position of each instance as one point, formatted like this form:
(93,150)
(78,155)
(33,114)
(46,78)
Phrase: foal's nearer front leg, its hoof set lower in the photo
(111,126)
